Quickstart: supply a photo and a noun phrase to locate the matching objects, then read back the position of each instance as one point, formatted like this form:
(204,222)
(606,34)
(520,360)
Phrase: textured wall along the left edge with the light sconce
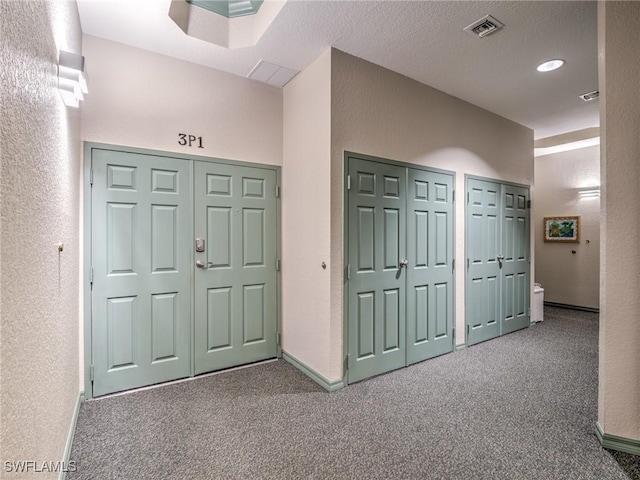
(40,176)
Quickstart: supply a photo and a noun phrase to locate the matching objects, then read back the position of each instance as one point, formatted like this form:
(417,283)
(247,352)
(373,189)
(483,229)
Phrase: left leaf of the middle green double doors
(377,239)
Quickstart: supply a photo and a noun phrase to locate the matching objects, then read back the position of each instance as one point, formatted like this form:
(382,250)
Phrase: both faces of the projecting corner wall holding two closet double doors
(381,113)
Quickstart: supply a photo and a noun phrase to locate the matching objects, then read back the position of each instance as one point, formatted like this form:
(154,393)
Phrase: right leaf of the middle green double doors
(430,269)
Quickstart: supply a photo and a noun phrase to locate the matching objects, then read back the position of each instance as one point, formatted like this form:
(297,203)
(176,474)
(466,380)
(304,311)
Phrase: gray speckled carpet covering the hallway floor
(519,407)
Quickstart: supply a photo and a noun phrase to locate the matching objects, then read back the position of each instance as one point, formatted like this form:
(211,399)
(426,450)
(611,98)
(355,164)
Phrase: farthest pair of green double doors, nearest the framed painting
(498,259)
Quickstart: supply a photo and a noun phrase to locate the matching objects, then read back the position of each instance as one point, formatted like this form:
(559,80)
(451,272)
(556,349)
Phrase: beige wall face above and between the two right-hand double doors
(379,112)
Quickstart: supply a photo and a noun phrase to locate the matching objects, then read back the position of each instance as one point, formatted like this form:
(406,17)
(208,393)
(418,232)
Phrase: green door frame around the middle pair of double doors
(345,245)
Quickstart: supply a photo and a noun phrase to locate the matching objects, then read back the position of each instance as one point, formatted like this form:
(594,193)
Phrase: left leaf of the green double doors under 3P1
(141,236)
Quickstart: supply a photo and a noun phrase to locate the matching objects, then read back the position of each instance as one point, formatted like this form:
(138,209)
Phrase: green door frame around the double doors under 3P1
(86,283)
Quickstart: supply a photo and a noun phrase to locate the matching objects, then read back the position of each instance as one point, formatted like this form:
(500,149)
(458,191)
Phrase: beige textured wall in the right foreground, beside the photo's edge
(619,70)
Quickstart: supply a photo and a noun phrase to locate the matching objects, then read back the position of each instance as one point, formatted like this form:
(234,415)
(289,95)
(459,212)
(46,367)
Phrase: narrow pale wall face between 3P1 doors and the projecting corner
(306,219)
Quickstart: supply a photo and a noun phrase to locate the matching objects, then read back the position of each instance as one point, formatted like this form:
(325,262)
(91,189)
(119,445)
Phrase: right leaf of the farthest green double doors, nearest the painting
(515,266)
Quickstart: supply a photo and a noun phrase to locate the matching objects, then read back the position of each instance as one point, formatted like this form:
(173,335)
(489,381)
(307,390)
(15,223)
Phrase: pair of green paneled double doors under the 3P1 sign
(183,258)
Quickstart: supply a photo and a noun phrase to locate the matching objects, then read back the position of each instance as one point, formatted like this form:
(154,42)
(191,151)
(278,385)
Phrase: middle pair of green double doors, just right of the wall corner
(400,266)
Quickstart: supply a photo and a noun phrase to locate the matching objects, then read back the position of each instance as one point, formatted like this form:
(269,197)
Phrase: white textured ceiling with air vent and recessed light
(423,40)
